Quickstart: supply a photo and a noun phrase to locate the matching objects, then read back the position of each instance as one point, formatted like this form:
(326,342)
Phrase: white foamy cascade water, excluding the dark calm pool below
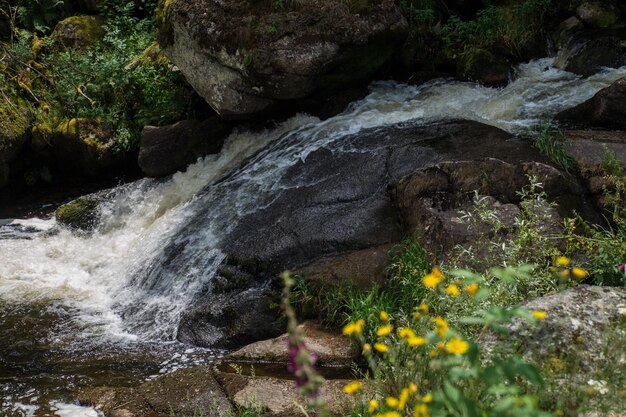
(115,283)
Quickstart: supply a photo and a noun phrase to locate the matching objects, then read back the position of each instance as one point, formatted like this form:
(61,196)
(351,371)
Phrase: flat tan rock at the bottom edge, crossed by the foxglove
(279,397)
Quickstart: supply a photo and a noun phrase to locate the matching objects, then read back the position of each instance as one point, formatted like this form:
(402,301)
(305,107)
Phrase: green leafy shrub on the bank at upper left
(105,81)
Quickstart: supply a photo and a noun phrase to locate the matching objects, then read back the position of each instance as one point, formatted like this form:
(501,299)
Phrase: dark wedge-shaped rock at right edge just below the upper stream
(606,109)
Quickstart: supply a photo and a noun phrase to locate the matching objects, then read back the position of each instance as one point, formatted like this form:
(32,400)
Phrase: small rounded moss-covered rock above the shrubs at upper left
(78,32)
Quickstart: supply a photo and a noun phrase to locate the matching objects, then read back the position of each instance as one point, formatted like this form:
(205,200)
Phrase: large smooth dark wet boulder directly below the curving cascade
(344,203)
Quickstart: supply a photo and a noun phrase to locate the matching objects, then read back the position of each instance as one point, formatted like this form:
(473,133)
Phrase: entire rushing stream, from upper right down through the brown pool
(102,309)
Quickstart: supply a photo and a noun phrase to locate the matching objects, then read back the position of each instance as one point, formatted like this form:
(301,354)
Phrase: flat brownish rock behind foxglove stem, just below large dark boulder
(331,348)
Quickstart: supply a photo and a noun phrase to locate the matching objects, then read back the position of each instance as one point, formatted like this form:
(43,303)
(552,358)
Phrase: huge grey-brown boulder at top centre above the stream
(244,57)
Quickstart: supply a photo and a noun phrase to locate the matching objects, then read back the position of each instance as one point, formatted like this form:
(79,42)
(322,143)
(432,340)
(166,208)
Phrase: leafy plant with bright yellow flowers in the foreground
(423,367)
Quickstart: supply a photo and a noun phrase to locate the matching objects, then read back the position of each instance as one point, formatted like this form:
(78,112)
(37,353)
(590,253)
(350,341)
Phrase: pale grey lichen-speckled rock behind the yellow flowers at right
(576,325)
